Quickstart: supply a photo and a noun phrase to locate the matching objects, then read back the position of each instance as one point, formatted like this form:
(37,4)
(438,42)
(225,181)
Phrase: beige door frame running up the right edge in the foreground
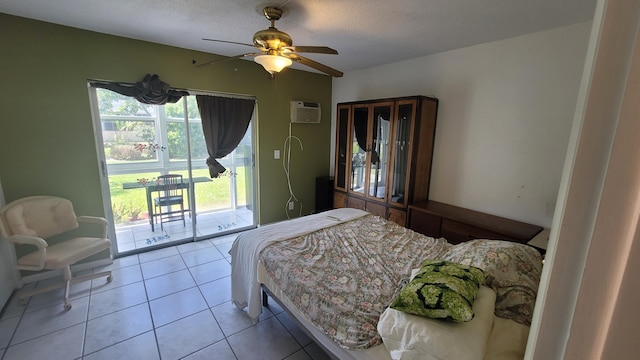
(588,296)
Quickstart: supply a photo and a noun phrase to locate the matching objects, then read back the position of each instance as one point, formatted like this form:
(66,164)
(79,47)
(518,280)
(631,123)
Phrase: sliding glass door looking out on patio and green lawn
(140,142)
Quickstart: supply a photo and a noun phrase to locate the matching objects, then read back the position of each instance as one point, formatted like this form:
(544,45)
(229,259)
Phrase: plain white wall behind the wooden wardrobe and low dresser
(505,114)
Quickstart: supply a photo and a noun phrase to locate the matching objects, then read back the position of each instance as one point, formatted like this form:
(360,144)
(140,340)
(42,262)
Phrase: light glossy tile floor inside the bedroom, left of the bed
(172,303)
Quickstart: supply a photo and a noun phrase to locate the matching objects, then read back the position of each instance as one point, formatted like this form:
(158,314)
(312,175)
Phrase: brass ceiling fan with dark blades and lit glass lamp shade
(276,50)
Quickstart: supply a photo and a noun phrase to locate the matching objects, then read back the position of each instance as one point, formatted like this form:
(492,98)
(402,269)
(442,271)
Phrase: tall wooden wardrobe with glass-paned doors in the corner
(383,157)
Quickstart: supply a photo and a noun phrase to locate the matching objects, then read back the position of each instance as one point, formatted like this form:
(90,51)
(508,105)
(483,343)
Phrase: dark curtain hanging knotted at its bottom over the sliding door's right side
(224,122)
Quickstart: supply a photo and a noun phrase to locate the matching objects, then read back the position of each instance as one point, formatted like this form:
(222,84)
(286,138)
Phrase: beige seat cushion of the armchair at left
(67,252)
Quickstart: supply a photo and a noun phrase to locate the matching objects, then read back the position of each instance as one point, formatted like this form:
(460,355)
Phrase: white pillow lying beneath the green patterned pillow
(409,336)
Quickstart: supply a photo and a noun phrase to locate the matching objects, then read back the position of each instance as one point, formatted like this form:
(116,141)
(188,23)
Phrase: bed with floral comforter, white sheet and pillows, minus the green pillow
(337,273)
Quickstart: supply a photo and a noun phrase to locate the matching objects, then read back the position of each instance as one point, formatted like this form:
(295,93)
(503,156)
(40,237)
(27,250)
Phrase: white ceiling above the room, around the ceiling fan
(365,32)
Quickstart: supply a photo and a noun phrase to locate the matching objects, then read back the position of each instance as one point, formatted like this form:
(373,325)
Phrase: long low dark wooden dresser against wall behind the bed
(458,224)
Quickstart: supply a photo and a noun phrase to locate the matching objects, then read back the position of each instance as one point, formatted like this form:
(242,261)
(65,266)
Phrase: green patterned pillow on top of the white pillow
(441,290)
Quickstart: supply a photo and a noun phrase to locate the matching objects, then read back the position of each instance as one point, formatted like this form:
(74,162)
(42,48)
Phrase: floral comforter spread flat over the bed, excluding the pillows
(344,276)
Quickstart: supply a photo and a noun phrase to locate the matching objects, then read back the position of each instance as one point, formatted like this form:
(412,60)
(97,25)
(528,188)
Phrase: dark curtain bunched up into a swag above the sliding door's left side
(151,90)
